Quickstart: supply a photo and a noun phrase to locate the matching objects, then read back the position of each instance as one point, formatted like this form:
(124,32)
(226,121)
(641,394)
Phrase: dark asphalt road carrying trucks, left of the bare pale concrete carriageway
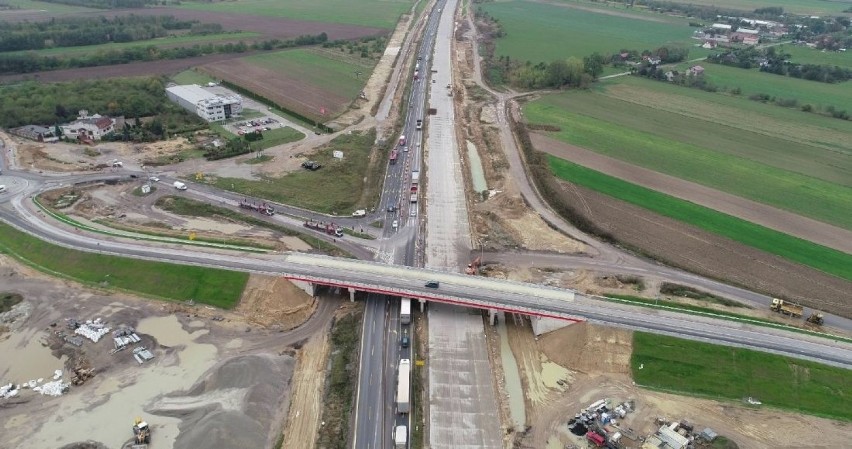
(375,408)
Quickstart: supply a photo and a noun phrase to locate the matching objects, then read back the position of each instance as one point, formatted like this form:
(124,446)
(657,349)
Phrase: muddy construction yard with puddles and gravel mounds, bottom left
(162,374)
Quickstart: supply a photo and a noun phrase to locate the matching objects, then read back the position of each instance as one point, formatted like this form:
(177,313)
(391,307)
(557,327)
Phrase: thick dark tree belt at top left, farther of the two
(77,31)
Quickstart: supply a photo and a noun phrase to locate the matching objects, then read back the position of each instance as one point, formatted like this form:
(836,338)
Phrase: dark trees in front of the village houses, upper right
(772,61)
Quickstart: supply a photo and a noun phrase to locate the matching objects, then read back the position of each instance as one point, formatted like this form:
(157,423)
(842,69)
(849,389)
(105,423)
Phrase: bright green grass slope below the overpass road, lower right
(703,369)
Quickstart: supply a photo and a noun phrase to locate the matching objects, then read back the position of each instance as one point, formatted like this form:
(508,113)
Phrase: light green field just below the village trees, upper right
(754,81)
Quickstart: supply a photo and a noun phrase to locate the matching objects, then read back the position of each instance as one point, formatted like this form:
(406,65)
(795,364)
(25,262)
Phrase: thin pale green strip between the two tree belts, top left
(171,41)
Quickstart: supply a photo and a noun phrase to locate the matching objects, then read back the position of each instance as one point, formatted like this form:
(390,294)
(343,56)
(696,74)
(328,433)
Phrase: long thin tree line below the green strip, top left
(29,63)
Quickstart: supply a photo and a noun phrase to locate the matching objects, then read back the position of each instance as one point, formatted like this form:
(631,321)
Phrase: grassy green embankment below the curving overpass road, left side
(220,288)
